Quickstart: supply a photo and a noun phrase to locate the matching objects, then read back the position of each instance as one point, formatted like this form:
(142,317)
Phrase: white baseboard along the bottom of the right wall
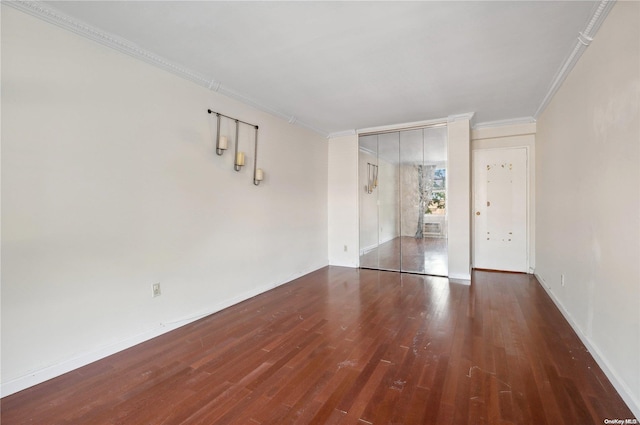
(619,385)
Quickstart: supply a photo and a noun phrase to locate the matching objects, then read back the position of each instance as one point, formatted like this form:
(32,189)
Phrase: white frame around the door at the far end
(528,197)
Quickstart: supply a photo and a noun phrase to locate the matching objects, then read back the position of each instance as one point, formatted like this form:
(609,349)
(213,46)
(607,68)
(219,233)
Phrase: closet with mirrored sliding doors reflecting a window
(403,200)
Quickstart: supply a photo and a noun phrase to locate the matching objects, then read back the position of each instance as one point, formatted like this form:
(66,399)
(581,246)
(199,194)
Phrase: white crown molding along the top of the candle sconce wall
(49,14)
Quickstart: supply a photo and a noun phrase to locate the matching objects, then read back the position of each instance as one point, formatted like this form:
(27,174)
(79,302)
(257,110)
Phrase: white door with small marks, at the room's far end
(500,215)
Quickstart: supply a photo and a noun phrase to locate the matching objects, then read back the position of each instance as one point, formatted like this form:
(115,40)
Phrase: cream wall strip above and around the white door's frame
(513,136)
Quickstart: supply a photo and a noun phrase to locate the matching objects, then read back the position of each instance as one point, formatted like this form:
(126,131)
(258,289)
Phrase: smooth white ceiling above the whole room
(336,67)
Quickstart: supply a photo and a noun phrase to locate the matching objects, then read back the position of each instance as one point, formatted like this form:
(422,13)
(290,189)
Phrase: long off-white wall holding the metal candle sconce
(110,183)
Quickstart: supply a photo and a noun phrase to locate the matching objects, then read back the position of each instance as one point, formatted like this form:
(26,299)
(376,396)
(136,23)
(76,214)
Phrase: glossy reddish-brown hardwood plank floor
(347,346)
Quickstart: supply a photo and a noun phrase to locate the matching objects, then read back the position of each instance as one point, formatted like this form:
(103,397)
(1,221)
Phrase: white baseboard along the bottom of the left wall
(41,375)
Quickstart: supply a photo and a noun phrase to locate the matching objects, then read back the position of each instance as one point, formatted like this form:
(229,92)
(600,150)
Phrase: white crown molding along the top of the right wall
(583,40)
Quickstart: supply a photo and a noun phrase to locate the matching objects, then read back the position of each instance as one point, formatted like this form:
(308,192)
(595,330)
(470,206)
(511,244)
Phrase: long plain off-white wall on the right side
(588,202)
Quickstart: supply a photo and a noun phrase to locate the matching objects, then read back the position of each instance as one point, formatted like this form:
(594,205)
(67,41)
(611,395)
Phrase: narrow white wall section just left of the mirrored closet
(343,201)
